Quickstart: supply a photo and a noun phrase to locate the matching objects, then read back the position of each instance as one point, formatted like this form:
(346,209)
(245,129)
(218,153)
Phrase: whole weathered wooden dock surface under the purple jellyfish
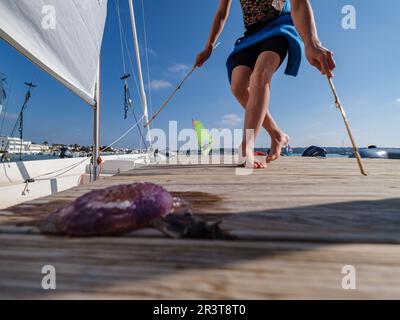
(298,223)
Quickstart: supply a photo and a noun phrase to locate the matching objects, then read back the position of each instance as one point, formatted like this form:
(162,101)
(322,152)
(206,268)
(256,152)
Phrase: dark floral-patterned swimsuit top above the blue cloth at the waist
(256,13)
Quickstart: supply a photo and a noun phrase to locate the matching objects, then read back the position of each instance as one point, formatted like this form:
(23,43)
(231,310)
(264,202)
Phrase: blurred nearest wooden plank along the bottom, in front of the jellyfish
(173,269)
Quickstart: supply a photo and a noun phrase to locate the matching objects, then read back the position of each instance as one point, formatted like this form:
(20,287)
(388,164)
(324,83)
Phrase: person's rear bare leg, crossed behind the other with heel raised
(240,87)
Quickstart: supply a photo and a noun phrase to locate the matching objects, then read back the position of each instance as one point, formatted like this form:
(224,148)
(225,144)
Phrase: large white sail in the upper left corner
(63,37)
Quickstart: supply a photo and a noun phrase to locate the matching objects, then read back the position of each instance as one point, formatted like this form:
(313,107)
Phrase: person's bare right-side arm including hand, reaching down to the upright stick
(317,55)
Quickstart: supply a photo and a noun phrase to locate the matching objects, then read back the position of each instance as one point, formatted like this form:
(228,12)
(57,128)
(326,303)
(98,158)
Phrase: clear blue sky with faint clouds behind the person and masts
(367,79)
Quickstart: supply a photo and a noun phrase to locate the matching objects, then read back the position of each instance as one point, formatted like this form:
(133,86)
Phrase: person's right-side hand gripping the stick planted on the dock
(321,58)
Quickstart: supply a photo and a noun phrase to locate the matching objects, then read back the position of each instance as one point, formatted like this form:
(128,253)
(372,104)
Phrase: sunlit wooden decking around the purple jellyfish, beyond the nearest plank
(282,203)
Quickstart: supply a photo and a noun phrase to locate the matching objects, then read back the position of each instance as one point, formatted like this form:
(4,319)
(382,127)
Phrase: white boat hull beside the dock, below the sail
(53,176)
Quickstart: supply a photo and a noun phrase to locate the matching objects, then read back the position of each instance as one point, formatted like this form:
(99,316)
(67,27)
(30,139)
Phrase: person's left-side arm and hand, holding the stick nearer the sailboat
(216,29)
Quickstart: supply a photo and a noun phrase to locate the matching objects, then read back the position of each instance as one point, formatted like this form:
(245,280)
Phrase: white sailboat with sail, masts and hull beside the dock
(64,39)
